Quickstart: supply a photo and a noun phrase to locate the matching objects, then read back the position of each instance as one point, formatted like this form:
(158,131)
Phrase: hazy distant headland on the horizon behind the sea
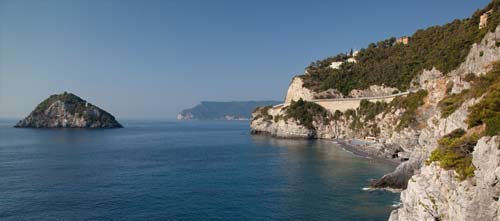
(214,110)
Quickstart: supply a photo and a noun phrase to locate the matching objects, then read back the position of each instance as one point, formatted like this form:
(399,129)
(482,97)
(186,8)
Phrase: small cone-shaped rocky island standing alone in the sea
(67,110)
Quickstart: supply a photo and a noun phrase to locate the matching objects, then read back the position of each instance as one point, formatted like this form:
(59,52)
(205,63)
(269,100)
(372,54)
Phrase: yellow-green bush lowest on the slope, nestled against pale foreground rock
(454,152)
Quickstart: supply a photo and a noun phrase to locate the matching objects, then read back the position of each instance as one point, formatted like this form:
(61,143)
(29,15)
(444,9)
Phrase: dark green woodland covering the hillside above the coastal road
(395,65)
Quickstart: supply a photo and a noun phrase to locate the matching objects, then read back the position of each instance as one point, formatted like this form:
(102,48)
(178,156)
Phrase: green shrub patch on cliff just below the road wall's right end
(410,104)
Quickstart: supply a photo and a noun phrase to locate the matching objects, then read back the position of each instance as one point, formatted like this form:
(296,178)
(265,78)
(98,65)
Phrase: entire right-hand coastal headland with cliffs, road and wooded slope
(430,100)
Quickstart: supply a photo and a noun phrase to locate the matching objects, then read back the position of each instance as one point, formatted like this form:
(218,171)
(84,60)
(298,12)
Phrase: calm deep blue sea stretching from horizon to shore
(169,170)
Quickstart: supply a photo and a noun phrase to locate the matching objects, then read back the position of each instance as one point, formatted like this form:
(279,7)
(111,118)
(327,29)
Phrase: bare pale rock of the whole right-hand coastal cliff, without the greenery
(429,192)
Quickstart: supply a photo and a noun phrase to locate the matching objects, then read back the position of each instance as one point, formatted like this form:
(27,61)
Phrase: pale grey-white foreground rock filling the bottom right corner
(436,194)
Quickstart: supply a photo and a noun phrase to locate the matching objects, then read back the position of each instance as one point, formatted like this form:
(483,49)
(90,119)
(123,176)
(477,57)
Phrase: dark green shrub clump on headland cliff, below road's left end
(306,112)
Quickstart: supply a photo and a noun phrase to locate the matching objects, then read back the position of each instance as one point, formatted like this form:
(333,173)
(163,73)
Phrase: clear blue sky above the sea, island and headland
(150,59)
